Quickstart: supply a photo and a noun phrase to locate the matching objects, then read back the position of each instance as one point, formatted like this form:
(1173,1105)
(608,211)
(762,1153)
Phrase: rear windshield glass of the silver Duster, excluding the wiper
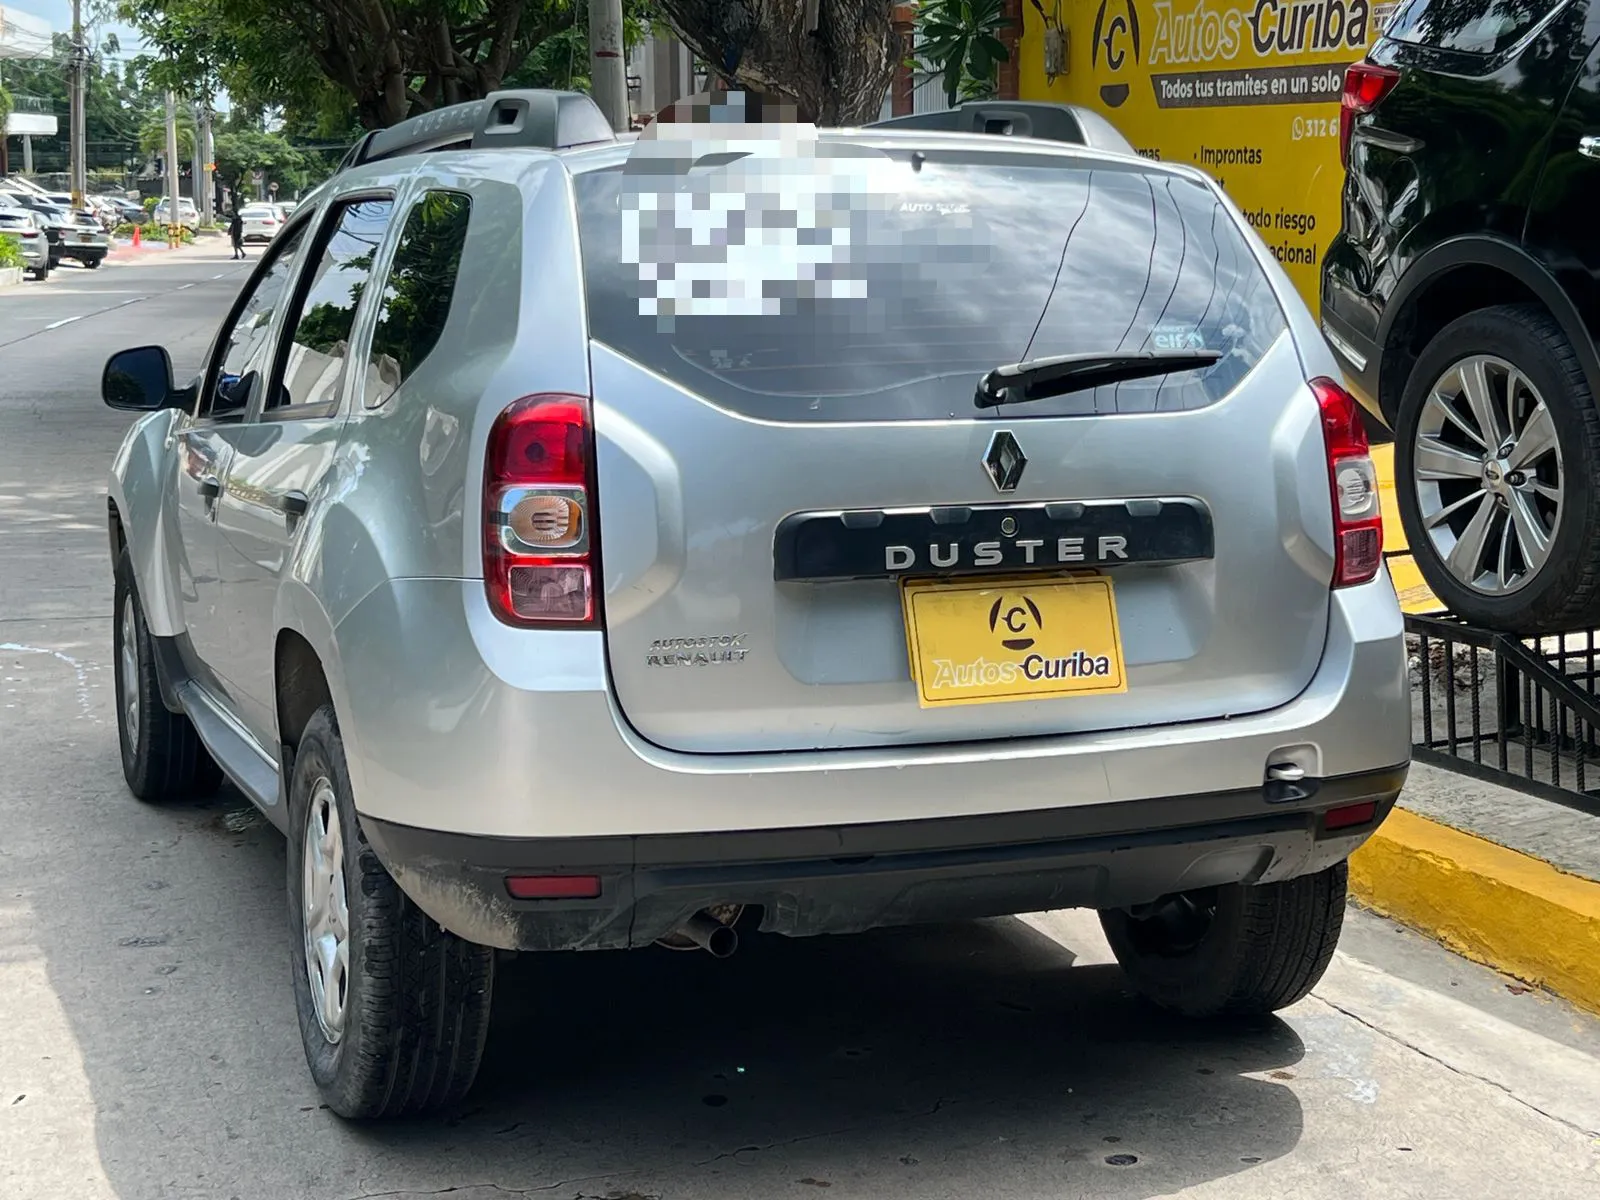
(884,290)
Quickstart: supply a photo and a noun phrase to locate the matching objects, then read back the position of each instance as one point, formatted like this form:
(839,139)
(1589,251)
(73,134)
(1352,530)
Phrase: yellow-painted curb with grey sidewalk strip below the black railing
(1506,879)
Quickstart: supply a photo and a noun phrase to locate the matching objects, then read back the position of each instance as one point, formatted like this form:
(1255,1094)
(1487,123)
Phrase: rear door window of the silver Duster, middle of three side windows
(314,362)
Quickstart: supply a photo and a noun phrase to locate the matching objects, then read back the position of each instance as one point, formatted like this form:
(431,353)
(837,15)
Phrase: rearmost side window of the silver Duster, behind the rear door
(418,294)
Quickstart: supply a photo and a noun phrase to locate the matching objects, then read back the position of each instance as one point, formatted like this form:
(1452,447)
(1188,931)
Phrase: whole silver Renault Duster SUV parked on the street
(591,543)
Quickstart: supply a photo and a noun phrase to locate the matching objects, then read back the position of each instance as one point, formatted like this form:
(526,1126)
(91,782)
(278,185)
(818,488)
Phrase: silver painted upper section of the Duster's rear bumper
(458,724)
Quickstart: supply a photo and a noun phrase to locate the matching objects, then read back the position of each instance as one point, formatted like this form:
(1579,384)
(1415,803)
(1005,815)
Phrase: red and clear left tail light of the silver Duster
(540,540)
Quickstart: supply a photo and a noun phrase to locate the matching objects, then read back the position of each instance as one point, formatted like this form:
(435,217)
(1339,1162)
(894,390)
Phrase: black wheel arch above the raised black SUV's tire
(1463,276)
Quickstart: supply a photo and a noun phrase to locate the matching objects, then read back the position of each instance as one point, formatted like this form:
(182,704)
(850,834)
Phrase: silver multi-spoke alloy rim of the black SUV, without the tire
(1487,470)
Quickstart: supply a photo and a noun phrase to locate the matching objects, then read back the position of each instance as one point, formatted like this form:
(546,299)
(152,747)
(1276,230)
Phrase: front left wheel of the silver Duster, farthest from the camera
(162,756)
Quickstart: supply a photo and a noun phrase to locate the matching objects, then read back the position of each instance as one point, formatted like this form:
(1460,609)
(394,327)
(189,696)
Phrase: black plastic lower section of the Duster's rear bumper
(847,879)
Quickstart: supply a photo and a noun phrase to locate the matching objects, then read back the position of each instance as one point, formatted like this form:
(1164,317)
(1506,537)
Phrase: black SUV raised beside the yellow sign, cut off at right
(1463,297)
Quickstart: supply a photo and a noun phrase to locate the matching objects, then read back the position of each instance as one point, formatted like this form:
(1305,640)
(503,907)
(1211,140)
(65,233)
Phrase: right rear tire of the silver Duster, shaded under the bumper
(1233,951)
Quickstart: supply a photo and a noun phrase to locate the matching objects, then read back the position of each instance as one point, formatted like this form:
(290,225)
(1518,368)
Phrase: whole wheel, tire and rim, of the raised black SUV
(1537,569)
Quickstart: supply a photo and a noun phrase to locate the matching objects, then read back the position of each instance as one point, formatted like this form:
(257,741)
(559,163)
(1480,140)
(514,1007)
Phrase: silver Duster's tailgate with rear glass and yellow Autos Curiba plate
(814,538)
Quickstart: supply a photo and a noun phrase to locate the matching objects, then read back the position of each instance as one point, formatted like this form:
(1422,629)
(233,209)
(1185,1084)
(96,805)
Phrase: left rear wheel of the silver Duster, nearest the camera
(394,1017)
